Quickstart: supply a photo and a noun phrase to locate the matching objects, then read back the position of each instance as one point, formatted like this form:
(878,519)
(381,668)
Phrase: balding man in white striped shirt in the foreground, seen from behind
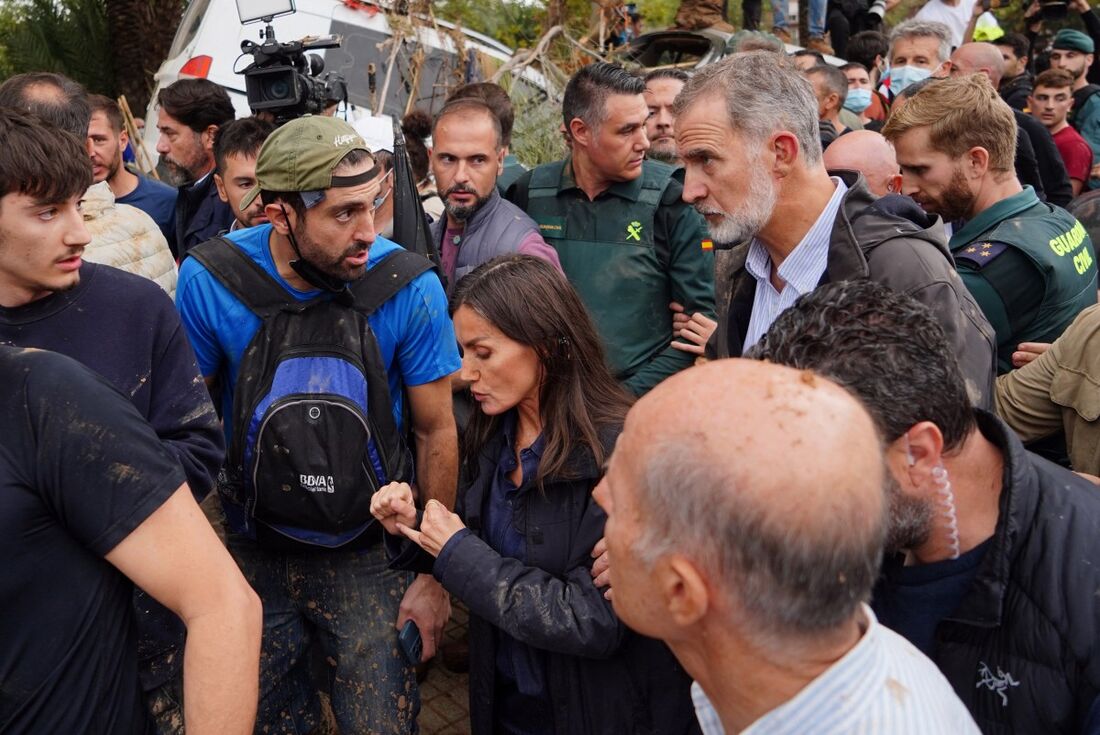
(754,568)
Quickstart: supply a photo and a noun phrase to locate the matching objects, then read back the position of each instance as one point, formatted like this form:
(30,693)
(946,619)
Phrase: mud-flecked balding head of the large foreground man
(766,479)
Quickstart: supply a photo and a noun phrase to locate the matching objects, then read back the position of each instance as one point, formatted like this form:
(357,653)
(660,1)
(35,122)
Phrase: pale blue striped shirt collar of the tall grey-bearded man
(801,271)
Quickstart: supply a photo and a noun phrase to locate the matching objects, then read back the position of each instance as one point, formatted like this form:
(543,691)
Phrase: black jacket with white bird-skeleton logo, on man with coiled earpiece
(1029,629)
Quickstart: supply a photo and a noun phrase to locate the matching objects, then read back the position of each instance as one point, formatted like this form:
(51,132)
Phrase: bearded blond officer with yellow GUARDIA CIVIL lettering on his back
(1030,266)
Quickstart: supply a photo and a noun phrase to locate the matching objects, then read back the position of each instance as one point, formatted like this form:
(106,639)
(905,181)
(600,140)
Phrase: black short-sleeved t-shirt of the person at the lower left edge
(80,471)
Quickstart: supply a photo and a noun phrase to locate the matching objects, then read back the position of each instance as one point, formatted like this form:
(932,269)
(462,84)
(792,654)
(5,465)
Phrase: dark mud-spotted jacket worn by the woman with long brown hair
(603,679)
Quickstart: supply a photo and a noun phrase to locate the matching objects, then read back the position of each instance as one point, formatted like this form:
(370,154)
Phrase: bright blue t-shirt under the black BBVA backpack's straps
(413,330)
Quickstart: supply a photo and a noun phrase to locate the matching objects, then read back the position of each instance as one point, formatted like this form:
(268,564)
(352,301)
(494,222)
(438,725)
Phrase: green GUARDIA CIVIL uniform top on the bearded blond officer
(1031,268)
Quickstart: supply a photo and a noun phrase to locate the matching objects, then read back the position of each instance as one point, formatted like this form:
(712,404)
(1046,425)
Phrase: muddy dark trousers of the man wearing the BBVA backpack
(346,604)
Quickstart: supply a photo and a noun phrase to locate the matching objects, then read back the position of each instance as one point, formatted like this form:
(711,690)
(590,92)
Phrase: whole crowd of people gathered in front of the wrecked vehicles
(773,408)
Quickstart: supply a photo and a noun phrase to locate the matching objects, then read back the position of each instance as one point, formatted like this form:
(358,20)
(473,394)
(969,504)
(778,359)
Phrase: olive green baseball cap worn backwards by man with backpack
(301,156)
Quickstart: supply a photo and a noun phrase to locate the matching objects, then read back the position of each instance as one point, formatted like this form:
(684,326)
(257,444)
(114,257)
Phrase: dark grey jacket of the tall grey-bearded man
(895,243)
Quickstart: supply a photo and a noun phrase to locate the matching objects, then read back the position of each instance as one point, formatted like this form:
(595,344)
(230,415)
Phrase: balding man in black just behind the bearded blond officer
(986,59)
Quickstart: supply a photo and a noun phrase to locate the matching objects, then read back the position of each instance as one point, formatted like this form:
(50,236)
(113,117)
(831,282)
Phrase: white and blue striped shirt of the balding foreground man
(884,686)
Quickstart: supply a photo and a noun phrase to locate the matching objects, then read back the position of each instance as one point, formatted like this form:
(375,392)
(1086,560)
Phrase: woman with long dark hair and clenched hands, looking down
(547,653)
